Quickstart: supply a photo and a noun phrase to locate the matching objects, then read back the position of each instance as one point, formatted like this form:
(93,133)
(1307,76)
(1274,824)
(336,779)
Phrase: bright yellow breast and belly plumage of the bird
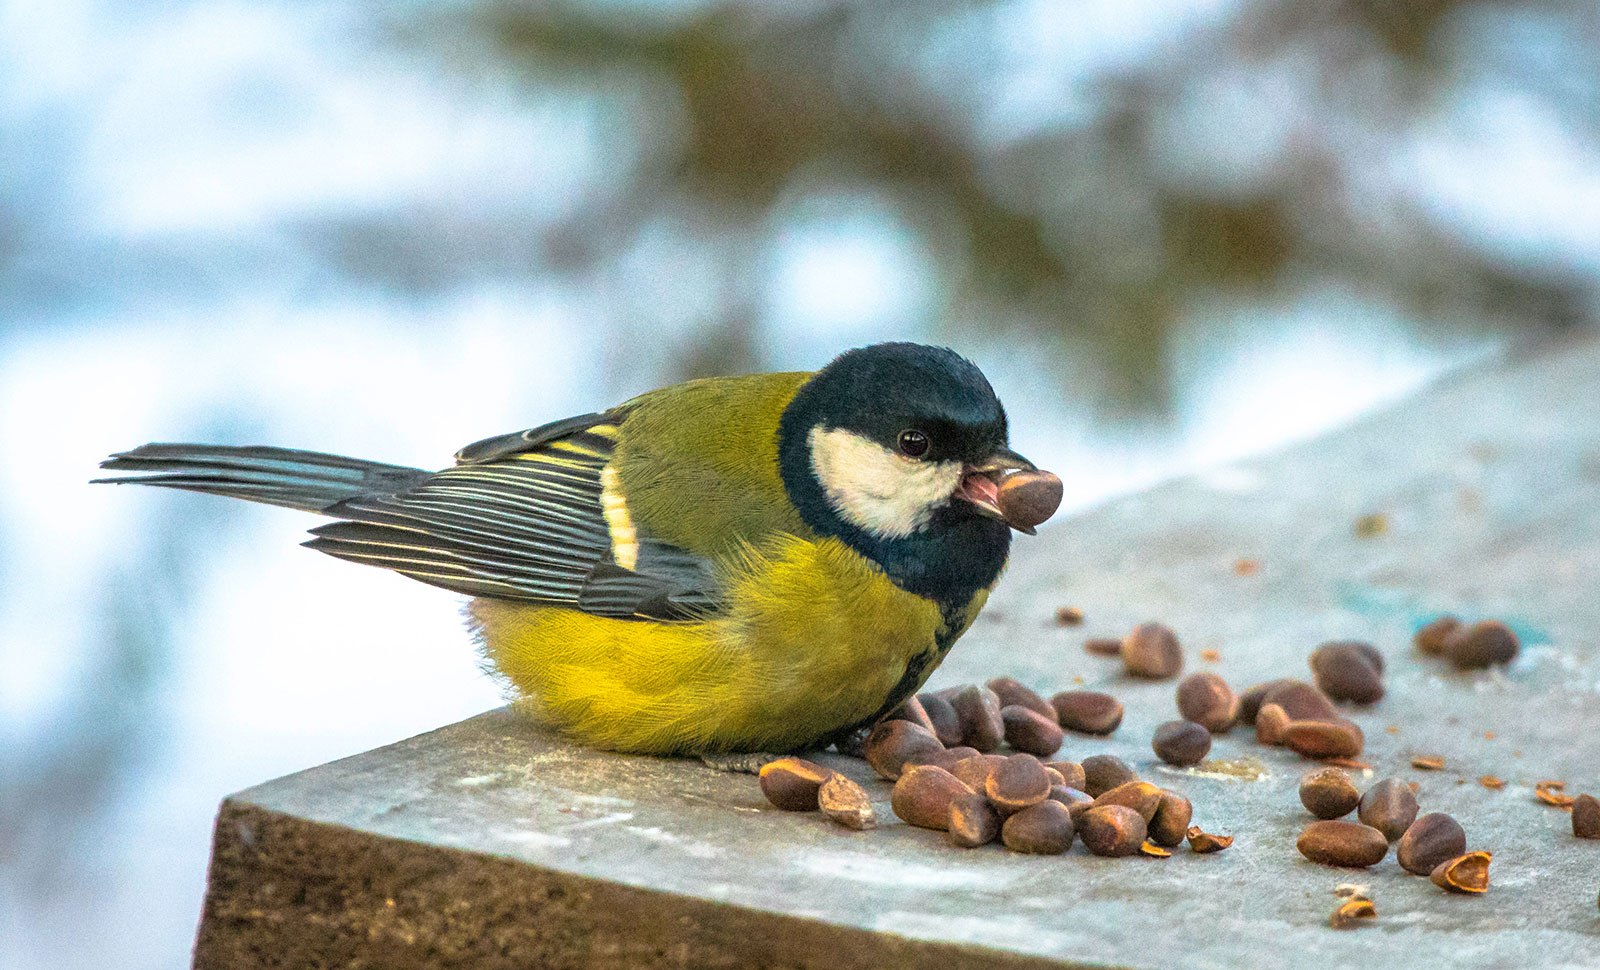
(814,639)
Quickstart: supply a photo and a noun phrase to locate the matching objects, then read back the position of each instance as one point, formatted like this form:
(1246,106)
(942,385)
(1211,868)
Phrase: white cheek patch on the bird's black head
(876,489)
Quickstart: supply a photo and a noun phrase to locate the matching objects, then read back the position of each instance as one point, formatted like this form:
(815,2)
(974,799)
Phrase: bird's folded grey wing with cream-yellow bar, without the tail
(530,516)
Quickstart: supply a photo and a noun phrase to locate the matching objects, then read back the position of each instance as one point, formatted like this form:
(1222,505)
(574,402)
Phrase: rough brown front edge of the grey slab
(290,892)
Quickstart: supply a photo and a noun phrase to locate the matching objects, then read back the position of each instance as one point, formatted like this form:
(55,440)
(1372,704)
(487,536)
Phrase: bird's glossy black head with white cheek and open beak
(897,451)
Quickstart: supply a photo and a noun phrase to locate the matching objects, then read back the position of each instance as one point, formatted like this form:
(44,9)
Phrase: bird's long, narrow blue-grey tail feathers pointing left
(308,481)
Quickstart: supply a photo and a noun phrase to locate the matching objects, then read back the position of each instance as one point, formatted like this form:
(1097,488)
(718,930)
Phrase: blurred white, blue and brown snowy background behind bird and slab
(1174,233)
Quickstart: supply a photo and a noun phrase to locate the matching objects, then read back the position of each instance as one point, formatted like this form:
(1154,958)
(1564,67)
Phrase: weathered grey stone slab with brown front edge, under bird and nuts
(494,844)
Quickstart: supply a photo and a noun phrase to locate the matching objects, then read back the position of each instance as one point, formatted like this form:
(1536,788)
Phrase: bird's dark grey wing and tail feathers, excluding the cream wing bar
(519,518)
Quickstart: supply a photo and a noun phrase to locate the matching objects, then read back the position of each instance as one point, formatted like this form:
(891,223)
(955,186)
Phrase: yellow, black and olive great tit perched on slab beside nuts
(726,566)
